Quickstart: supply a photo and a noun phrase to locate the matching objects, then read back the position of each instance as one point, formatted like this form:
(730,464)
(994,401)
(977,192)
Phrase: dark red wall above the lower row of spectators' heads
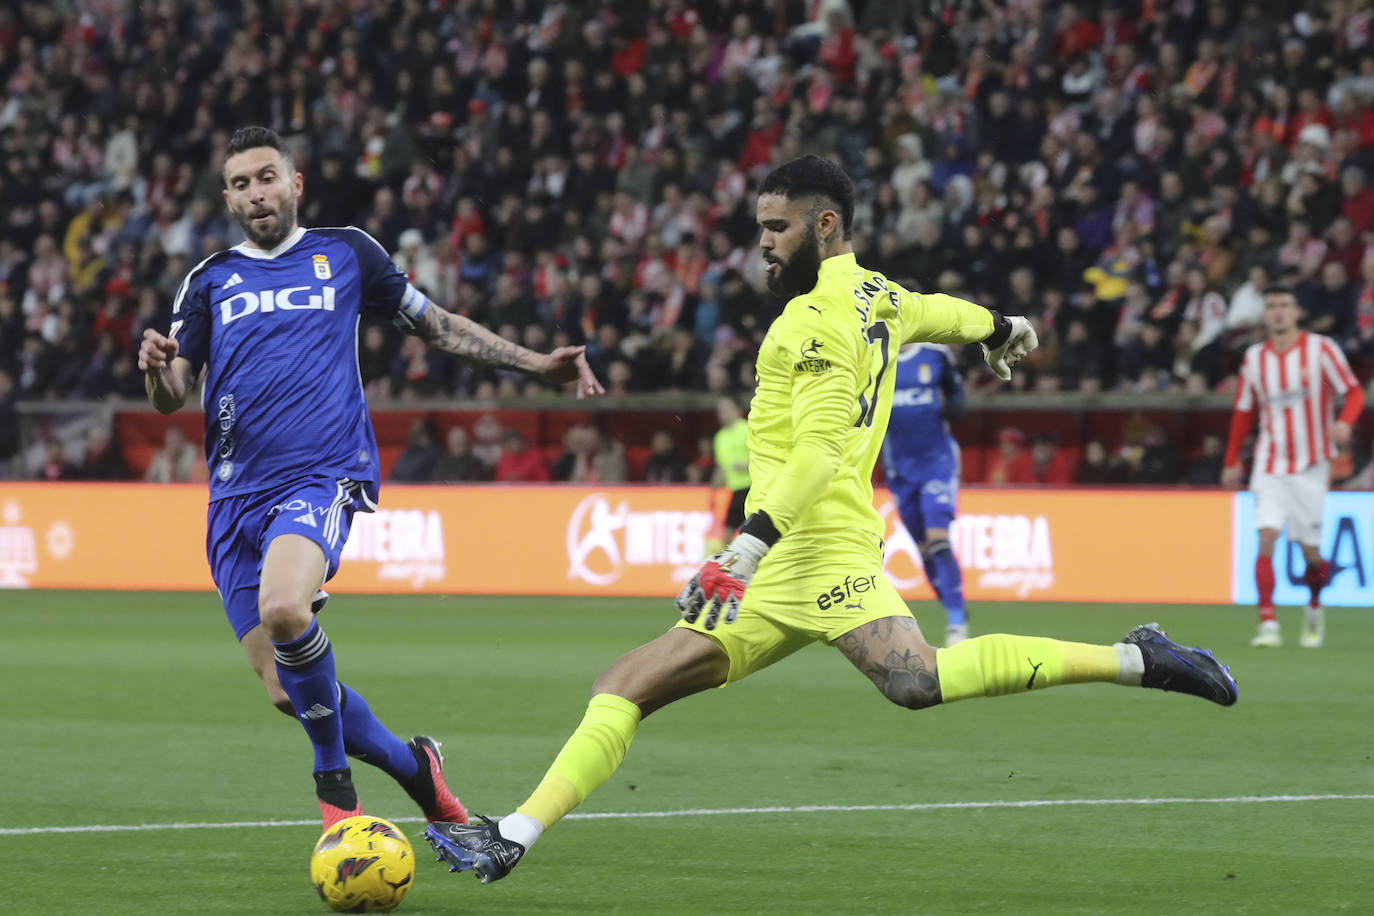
(1070,420)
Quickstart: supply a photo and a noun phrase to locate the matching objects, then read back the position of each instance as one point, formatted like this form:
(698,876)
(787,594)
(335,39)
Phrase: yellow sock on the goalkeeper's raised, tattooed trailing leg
(1002,664)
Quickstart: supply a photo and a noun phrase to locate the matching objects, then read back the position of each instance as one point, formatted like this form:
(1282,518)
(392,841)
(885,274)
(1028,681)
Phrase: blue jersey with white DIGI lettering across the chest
(278,333)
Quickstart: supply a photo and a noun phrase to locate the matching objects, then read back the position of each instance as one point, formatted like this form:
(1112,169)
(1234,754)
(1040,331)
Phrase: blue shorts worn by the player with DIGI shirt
(240,528)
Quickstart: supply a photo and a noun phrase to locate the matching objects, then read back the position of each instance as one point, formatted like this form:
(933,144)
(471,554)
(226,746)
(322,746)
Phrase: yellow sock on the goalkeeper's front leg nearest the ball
(587,760)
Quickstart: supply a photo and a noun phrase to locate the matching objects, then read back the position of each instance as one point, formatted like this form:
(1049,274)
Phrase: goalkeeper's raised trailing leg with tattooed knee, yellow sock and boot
(897,659)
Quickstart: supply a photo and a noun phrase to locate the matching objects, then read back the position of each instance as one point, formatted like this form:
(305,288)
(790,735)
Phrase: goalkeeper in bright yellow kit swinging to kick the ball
(807,565)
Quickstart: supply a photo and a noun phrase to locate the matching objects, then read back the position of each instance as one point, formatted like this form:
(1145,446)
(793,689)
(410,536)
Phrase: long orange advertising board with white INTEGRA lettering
(1070,546)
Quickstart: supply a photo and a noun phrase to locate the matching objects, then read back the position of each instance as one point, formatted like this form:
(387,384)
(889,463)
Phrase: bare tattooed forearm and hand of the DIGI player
(469,340)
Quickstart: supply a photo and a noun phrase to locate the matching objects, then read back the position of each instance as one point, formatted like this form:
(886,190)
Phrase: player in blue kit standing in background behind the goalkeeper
(921,462)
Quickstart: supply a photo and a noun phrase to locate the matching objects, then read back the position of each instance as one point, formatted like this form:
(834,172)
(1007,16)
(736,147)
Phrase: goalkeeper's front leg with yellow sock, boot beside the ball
(675,665)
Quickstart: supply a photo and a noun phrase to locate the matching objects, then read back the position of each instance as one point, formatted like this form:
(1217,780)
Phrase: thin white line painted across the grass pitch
(717,812)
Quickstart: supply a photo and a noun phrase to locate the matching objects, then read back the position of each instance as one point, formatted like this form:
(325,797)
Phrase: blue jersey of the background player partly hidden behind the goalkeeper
(928,391)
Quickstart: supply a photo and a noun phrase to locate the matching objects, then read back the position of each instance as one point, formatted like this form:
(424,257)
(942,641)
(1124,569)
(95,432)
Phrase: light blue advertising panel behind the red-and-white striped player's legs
(1347,545)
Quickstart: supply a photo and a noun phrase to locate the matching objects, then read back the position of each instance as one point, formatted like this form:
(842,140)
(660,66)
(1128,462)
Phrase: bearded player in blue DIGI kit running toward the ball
(291,447)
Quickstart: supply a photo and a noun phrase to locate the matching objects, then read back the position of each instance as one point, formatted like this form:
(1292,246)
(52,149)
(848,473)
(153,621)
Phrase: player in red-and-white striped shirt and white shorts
(1291,382)
